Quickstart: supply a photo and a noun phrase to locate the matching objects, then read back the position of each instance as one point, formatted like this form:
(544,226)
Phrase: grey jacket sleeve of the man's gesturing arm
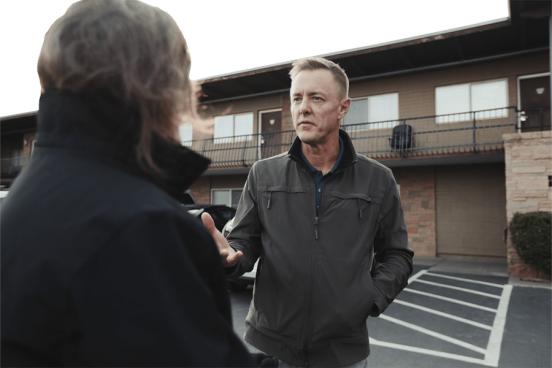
(246,231)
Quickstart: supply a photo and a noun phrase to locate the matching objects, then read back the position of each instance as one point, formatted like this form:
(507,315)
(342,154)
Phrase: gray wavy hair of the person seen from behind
(131,50)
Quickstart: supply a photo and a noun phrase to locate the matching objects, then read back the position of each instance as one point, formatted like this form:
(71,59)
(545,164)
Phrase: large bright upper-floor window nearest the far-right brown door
(457,101)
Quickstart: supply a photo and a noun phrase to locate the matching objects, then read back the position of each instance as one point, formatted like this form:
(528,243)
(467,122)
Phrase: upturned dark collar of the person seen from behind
(107,129)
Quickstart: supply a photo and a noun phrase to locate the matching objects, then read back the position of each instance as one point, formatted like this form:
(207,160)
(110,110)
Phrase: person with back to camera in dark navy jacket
(100,264)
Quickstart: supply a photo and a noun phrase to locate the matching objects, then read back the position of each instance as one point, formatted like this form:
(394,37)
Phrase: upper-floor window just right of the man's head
(383,109)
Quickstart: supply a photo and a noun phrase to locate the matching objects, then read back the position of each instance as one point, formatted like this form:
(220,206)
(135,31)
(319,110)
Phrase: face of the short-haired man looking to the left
(317,106)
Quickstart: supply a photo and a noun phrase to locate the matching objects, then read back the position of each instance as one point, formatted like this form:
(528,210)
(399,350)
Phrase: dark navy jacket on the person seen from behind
(100,264)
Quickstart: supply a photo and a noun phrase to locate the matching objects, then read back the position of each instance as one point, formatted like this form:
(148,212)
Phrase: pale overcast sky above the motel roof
(226,36)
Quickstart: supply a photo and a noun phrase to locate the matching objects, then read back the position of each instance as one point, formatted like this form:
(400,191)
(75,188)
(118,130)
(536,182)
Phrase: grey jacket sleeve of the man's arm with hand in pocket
(393,259)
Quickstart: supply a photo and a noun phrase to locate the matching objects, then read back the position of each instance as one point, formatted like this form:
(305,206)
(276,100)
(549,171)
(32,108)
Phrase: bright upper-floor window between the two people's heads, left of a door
(233,128)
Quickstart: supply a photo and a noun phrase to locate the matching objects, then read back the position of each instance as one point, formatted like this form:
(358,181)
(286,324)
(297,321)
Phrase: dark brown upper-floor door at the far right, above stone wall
(535,102)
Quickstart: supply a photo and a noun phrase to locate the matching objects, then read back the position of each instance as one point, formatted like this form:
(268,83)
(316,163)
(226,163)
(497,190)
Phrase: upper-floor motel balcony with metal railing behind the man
(431,136)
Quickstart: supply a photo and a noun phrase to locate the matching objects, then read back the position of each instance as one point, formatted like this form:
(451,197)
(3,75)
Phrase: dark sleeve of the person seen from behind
(155,295)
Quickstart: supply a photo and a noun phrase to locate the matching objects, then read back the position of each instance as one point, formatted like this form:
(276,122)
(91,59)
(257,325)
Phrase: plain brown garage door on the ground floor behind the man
(471,210)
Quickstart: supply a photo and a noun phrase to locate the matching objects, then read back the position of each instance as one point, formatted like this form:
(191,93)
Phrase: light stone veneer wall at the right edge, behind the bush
(528,158)
